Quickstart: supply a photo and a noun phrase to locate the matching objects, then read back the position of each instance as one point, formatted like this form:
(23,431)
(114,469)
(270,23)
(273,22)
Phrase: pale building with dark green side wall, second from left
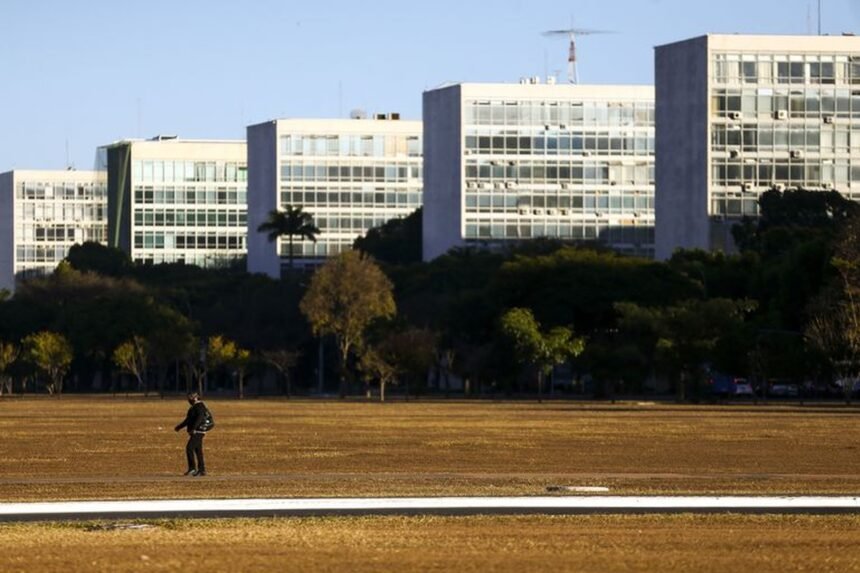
(178,201)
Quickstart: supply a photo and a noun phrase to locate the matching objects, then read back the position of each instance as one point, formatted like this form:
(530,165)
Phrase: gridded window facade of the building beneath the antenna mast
(569,168)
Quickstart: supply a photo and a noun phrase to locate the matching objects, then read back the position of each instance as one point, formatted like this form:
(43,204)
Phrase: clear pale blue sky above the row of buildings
(78,74)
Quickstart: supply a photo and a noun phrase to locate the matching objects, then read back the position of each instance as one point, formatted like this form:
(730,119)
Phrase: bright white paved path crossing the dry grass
(152,509)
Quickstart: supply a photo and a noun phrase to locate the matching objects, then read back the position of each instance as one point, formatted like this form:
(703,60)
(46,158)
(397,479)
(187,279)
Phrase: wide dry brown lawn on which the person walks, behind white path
(76,448)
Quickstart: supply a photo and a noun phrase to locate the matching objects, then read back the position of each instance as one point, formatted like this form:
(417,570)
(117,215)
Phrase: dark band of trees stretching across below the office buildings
(500,321)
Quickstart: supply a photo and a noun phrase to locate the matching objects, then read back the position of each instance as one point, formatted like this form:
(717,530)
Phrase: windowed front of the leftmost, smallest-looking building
(52,215)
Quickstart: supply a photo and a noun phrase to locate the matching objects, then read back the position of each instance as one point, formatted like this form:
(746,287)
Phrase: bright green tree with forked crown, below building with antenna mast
(544,350)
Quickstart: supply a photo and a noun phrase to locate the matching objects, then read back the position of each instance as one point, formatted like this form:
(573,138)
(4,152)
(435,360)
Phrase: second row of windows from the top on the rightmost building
(781,104)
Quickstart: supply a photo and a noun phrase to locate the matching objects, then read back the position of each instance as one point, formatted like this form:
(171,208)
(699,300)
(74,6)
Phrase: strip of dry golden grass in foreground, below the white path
(714,543)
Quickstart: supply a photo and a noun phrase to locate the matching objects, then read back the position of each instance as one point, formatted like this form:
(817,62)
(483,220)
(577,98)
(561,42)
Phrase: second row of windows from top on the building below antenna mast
(555,143)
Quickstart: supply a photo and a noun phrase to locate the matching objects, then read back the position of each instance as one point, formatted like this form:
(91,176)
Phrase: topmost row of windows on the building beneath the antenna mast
(556,113)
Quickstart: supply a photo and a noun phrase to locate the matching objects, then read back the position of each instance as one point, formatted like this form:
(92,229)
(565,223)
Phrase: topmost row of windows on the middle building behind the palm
(352,145)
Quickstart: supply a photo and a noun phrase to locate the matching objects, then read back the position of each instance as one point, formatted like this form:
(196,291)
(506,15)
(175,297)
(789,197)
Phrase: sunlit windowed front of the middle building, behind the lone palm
(349,182)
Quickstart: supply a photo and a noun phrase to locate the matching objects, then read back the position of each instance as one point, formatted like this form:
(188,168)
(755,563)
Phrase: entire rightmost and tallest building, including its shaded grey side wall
(737,115)
